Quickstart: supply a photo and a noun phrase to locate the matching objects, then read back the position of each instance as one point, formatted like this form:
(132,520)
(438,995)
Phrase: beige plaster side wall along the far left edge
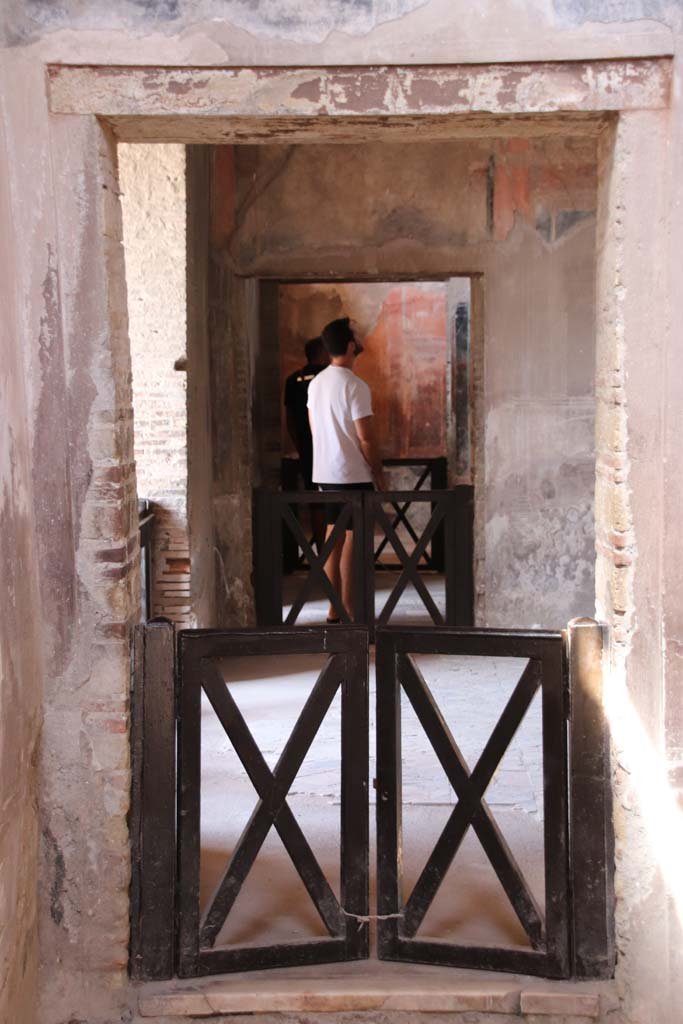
(21,657)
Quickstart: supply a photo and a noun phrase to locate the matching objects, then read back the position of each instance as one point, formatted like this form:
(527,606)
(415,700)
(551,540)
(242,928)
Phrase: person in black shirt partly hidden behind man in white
(296,399)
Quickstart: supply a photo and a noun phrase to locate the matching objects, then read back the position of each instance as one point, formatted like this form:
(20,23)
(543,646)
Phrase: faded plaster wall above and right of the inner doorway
(521,214)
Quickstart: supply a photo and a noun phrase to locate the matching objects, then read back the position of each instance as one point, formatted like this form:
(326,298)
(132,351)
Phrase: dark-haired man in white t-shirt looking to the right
(346,456)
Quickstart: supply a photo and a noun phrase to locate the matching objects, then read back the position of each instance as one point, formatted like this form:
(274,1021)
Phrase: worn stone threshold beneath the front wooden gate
(402,989)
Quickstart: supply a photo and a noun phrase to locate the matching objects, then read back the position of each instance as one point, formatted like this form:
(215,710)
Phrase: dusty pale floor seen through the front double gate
(274,906)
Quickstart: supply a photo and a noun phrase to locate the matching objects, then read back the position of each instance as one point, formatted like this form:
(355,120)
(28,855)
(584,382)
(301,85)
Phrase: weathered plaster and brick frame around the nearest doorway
(92,108)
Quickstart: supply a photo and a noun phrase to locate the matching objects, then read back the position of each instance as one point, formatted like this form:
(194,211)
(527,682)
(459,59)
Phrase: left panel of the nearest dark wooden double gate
(346,921)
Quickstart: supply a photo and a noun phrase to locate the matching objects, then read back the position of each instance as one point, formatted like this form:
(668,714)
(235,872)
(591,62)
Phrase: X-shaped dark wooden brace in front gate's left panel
(272,808)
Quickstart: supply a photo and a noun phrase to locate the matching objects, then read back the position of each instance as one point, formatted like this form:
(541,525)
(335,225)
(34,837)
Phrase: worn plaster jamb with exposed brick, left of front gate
(87,407)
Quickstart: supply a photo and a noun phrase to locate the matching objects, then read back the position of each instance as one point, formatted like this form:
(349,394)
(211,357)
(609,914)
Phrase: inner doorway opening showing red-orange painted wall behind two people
(417,362)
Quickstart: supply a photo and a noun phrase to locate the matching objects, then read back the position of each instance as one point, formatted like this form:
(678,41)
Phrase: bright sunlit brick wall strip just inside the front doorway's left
(153,204)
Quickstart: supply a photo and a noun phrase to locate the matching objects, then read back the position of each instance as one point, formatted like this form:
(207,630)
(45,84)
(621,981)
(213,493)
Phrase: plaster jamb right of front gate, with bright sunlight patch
(633,314)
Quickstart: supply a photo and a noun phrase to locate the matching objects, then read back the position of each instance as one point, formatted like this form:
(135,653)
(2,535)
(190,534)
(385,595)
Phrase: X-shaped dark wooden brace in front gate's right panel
(472,808)
